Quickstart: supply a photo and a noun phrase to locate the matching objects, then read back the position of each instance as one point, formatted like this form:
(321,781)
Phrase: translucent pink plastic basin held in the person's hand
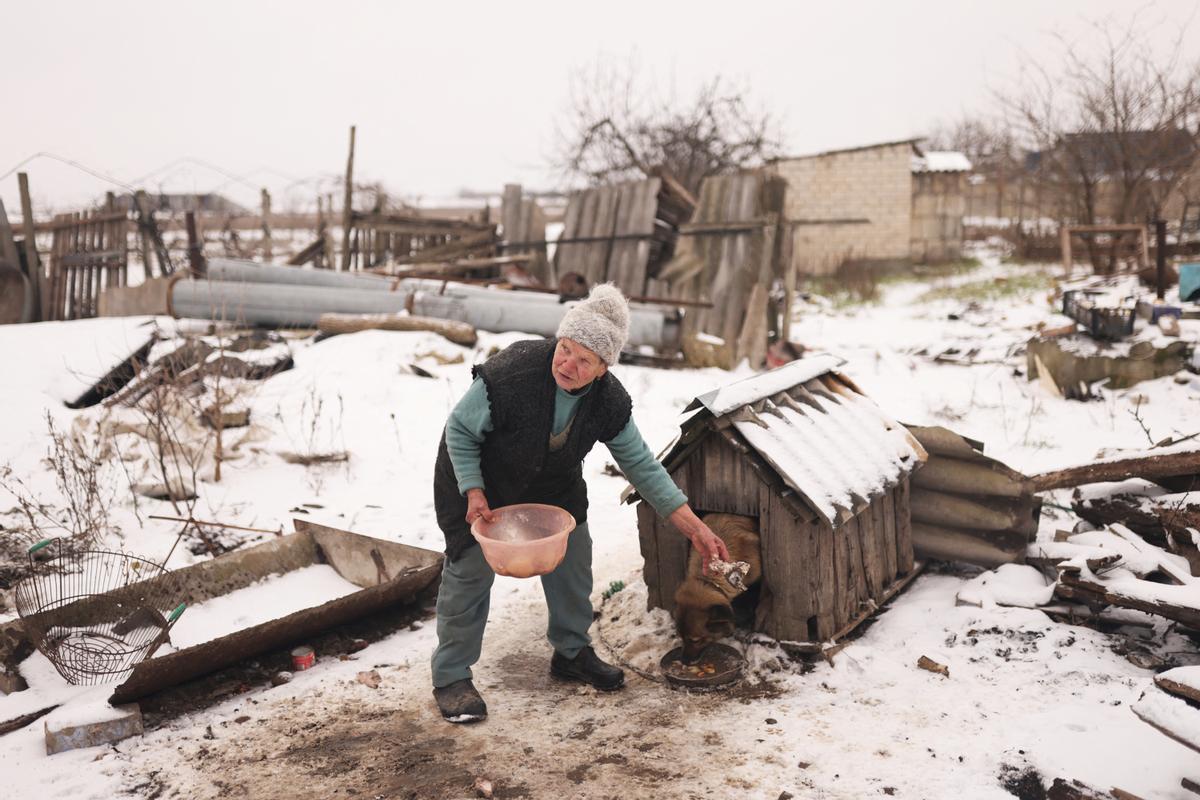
(525,540)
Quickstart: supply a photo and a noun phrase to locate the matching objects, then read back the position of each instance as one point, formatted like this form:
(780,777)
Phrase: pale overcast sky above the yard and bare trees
(455,95)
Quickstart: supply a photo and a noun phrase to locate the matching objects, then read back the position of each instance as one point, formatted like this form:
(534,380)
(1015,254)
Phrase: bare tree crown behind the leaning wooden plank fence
(615,129)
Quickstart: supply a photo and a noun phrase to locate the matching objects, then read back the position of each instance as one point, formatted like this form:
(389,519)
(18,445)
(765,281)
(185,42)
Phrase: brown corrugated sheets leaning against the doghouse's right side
(968,507)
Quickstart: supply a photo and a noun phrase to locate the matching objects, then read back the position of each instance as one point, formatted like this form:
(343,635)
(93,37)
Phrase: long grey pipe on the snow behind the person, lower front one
(301,306)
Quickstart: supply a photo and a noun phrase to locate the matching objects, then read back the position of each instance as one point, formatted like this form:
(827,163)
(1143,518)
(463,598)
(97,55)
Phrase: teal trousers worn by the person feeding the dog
(465,599)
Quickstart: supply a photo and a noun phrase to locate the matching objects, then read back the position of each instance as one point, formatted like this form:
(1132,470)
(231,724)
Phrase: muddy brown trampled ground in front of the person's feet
(544,738)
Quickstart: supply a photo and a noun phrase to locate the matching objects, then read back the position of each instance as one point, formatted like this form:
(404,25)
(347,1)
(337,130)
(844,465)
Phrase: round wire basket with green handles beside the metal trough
(95,615)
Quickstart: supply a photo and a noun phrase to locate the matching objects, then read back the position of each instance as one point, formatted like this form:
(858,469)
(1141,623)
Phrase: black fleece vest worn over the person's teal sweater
(517,459)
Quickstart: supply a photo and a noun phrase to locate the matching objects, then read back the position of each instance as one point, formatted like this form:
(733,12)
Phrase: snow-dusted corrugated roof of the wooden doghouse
(817,430)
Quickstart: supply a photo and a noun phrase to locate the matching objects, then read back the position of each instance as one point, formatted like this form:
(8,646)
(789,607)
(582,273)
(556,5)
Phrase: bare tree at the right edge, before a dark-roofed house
(1114,133)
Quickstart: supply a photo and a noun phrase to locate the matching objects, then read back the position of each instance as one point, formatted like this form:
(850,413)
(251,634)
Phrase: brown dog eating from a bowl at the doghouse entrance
(704,612)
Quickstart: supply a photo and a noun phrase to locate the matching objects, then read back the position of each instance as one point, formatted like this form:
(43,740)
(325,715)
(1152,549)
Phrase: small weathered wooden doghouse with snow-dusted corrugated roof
(824,471)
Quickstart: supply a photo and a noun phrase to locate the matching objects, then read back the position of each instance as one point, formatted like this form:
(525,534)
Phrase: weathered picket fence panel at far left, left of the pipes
(89,254)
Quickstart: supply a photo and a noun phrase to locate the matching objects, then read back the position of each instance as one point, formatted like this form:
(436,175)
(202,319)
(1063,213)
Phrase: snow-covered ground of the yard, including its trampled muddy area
(1024,693)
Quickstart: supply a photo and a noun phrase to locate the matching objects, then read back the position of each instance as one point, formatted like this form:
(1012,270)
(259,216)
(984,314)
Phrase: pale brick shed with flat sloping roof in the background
(886,203)
